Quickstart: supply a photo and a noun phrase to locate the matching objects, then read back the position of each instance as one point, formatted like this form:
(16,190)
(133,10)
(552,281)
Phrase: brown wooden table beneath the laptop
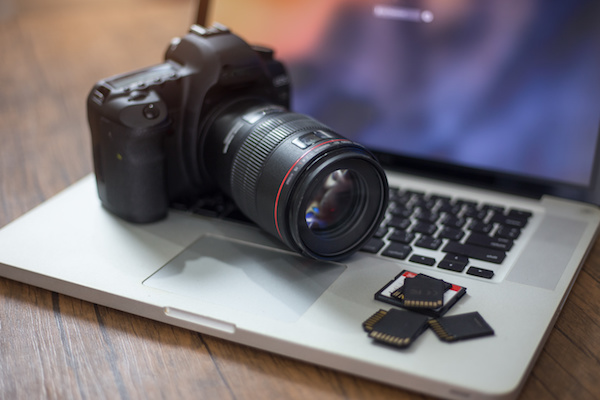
(55,346)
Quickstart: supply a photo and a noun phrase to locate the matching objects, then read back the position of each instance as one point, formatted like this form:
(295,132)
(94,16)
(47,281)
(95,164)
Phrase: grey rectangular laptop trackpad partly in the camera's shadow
(246,277)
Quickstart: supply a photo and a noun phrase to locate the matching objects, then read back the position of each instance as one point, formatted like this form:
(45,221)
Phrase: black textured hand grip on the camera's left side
(129,159)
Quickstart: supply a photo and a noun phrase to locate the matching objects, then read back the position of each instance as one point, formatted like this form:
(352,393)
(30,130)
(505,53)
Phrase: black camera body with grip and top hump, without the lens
(144,123)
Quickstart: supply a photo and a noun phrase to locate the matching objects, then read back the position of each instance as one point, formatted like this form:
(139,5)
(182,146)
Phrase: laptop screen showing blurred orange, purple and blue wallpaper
(510,88)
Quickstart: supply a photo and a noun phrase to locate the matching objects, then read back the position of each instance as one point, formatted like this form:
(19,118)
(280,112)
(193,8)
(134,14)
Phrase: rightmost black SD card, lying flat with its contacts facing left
(461,327)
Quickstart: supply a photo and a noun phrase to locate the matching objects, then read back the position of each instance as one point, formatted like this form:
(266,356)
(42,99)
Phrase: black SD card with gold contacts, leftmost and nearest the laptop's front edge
(396,327)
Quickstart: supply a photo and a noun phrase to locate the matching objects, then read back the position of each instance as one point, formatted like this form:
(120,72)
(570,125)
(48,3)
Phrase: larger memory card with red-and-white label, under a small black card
(393,293)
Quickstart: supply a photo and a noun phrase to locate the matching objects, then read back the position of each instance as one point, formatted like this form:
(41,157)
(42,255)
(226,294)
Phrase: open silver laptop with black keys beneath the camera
(485,115)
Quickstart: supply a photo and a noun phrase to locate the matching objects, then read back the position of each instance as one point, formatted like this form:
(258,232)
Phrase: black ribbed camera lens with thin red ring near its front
(320,193)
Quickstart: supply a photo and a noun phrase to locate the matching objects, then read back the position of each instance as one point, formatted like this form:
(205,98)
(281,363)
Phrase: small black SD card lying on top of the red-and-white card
(423,291)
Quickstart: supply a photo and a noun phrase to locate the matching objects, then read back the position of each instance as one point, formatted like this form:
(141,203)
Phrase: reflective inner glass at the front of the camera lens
(333,203)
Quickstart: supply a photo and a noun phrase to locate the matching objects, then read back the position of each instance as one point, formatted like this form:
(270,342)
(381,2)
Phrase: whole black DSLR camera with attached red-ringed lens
(213,118)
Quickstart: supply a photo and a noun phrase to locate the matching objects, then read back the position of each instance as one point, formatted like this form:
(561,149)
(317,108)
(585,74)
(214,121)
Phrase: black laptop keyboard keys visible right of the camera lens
(452,234)
